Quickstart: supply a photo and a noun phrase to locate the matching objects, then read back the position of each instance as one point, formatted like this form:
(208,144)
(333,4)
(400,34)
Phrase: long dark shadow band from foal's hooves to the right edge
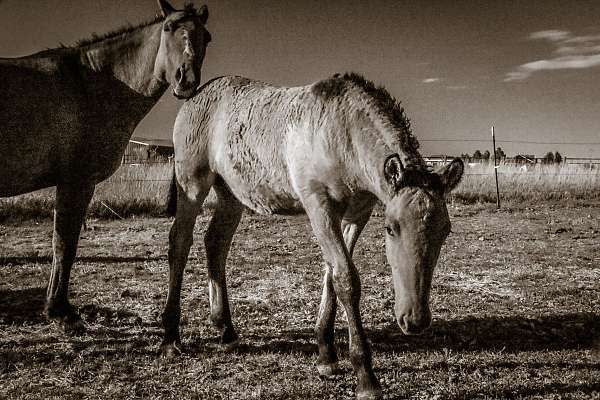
(514,334)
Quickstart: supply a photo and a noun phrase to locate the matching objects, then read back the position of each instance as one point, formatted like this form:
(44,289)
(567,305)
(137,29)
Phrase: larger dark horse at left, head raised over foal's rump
(66,116)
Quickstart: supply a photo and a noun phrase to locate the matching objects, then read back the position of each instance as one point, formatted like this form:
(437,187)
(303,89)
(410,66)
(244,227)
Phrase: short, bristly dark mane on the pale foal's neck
(383,101)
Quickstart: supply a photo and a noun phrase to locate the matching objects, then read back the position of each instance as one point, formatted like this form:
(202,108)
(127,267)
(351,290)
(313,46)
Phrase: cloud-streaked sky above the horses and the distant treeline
(530,68)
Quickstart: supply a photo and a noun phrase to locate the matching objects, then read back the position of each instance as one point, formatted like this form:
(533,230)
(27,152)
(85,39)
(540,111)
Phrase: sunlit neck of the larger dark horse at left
(128,60)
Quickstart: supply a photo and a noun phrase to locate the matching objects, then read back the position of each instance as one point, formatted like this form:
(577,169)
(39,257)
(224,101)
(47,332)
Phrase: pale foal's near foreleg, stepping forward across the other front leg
(346,284)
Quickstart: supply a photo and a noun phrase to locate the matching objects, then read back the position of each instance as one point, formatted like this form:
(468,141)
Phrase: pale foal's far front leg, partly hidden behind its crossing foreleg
(355,218)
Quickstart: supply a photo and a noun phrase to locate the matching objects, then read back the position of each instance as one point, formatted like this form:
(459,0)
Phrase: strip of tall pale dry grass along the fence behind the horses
(141,190)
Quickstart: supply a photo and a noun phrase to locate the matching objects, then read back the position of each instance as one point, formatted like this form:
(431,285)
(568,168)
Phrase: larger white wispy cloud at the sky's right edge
(570,52)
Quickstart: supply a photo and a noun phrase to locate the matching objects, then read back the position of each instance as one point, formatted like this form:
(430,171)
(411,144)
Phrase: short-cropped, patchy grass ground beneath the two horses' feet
(516,304)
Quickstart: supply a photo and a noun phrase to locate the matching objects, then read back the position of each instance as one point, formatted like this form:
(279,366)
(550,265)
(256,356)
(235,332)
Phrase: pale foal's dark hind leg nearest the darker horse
(180,241)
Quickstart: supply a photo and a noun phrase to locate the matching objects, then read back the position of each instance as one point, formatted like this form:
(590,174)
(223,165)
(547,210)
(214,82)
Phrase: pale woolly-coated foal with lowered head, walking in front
(331,149)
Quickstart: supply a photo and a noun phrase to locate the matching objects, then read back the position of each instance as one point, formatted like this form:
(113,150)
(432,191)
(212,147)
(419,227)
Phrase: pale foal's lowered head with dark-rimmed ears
(417,223)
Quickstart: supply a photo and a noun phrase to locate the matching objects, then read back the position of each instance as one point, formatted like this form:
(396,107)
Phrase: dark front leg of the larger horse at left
(71,204)
